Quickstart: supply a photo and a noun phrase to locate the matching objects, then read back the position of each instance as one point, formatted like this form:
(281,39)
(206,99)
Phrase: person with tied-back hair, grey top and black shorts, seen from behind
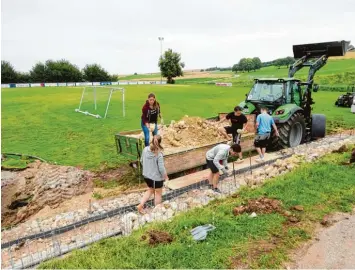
(154,172)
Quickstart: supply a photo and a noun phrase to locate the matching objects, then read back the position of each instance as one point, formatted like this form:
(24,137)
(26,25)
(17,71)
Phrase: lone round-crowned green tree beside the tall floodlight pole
(170,65)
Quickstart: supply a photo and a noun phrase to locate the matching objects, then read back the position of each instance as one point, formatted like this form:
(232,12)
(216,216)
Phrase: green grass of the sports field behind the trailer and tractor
(42,121)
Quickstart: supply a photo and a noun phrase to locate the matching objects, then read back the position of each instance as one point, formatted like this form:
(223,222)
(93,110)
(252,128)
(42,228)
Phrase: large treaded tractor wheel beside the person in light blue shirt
(292,133)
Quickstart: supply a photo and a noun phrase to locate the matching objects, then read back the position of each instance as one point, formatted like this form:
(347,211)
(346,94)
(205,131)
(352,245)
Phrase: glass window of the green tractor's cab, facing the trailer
(266,91)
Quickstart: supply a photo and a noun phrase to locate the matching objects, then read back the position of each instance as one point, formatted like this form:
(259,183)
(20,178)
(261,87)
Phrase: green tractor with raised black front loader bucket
(289,100)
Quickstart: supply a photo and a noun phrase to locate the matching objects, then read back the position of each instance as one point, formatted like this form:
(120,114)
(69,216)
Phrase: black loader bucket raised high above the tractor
(333,48)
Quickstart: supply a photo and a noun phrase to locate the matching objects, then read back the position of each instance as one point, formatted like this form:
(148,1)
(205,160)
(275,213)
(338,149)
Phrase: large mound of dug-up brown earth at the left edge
(38,186)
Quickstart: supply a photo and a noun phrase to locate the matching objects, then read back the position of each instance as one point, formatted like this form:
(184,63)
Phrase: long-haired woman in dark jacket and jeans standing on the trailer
(149,120)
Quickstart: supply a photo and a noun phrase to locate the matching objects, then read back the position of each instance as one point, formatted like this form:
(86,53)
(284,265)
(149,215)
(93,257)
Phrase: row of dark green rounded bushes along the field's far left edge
(55,71)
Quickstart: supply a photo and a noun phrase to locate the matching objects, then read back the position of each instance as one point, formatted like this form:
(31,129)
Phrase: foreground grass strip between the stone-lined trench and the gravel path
(261,242)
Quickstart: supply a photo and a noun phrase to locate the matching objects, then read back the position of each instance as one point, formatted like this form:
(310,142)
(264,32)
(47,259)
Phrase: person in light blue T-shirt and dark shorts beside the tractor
(264,122)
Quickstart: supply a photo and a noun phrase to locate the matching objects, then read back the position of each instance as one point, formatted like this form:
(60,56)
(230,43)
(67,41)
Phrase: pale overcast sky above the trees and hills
(122,36)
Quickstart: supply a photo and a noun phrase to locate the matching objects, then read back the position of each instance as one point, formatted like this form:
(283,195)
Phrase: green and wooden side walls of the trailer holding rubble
(185,160)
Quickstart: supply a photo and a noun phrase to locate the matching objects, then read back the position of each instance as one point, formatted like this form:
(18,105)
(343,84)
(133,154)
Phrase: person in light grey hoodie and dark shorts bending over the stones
(217,155)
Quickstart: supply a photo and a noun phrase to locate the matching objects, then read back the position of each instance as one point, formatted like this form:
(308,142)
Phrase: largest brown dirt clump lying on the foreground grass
(261,206)
